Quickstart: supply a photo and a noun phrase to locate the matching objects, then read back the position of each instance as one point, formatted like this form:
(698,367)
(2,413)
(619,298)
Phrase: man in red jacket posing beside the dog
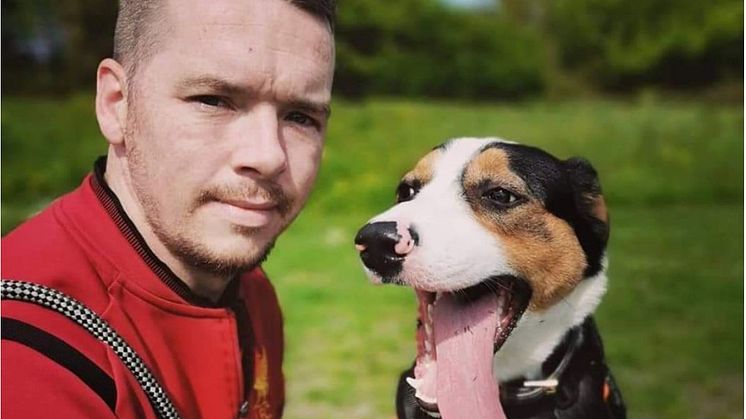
(214,112)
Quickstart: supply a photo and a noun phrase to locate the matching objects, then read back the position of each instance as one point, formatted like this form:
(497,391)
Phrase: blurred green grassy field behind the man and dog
(673,177)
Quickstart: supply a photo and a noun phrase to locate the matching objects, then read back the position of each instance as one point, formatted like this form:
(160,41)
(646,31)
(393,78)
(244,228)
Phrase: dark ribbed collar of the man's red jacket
(114,209)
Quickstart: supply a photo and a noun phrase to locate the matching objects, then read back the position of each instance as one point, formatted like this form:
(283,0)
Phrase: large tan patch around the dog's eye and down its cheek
(541,247)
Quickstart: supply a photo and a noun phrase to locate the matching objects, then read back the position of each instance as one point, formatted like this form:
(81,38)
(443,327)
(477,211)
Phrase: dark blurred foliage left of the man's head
(75,35)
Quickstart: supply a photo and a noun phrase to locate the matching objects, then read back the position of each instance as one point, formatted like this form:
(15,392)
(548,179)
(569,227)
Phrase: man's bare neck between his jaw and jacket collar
(204,284)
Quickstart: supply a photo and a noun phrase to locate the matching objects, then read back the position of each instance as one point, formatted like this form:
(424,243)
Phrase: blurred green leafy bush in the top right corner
(672,42)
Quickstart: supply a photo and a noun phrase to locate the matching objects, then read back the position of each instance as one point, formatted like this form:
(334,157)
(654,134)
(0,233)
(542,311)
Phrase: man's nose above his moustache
(261,147)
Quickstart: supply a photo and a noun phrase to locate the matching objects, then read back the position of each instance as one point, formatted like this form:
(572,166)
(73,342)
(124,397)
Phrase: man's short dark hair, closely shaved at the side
(139,21)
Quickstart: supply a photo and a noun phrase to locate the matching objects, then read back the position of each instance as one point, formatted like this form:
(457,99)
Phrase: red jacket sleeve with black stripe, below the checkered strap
(51,364)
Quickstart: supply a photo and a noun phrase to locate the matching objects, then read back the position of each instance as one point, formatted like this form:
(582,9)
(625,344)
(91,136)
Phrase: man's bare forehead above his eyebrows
(270,45)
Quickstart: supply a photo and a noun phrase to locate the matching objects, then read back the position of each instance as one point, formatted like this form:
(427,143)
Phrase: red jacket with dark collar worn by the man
(210,358)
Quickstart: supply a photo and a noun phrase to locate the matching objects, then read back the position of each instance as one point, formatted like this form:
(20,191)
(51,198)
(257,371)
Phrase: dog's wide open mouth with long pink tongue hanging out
(457,335)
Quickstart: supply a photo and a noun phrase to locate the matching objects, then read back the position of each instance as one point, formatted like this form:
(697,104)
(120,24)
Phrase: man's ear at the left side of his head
(111,100)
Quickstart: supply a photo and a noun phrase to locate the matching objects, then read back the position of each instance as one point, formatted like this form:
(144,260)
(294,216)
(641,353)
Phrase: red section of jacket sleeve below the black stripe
(36,386)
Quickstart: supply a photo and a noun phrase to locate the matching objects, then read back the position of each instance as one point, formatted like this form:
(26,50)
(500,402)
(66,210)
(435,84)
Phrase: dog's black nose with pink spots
(383,247)
